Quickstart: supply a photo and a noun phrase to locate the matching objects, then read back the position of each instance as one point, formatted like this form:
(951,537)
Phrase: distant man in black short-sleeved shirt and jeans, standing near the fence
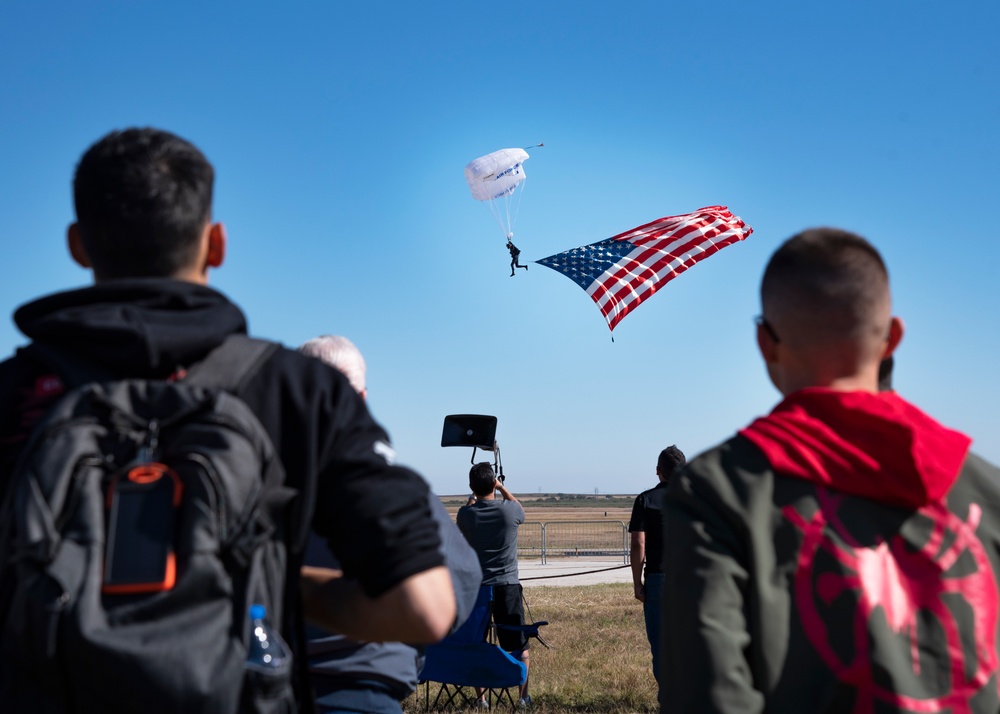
(646,528)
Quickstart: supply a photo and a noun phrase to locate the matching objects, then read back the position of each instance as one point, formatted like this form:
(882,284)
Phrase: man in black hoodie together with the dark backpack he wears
(161,471)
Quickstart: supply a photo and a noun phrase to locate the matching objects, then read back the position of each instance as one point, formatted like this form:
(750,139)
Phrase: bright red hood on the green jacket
(877,446)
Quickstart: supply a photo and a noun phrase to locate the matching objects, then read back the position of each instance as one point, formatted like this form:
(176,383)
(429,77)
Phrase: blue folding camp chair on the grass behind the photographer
(467,660)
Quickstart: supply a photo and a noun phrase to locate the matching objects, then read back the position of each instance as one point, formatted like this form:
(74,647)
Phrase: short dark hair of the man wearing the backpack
(142,198)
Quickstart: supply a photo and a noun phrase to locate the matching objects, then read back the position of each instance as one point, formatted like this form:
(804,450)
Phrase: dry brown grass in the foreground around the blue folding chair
(599,661)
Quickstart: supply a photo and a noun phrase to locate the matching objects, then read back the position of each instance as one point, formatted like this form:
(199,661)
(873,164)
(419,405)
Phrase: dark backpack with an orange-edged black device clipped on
(143,519)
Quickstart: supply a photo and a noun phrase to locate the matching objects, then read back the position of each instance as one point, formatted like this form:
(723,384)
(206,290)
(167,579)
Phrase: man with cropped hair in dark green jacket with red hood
(841,553)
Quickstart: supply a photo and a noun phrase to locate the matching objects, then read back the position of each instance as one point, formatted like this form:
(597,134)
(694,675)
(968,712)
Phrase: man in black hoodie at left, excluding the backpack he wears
(144,228)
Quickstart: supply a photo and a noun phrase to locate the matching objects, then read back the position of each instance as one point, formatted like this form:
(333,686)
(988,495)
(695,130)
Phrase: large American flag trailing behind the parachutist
(622,271)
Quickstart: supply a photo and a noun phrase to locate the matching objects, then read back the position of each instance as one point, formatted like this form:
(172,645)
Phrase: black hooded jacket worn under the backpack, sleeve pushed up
(374,515)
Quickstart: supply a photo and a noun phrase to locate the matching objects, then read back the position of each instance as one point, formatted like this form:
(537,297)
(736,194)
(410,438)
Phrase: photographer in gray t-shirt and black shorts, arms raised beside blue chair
(490,525)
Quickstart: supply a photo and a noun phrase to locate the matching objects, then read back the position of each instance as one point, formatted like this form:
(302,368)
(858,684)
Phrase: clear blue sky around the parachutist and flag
(339,132)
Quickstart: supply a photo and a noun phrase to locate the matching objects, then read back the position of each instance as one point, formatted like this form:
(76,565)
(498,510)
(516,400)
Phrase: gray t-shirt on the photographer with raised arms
(491,529)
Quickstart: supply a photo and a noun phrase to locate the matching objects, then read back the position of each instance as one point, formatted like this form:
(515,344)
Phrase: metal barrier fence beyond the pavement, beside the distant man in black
(573,539)
